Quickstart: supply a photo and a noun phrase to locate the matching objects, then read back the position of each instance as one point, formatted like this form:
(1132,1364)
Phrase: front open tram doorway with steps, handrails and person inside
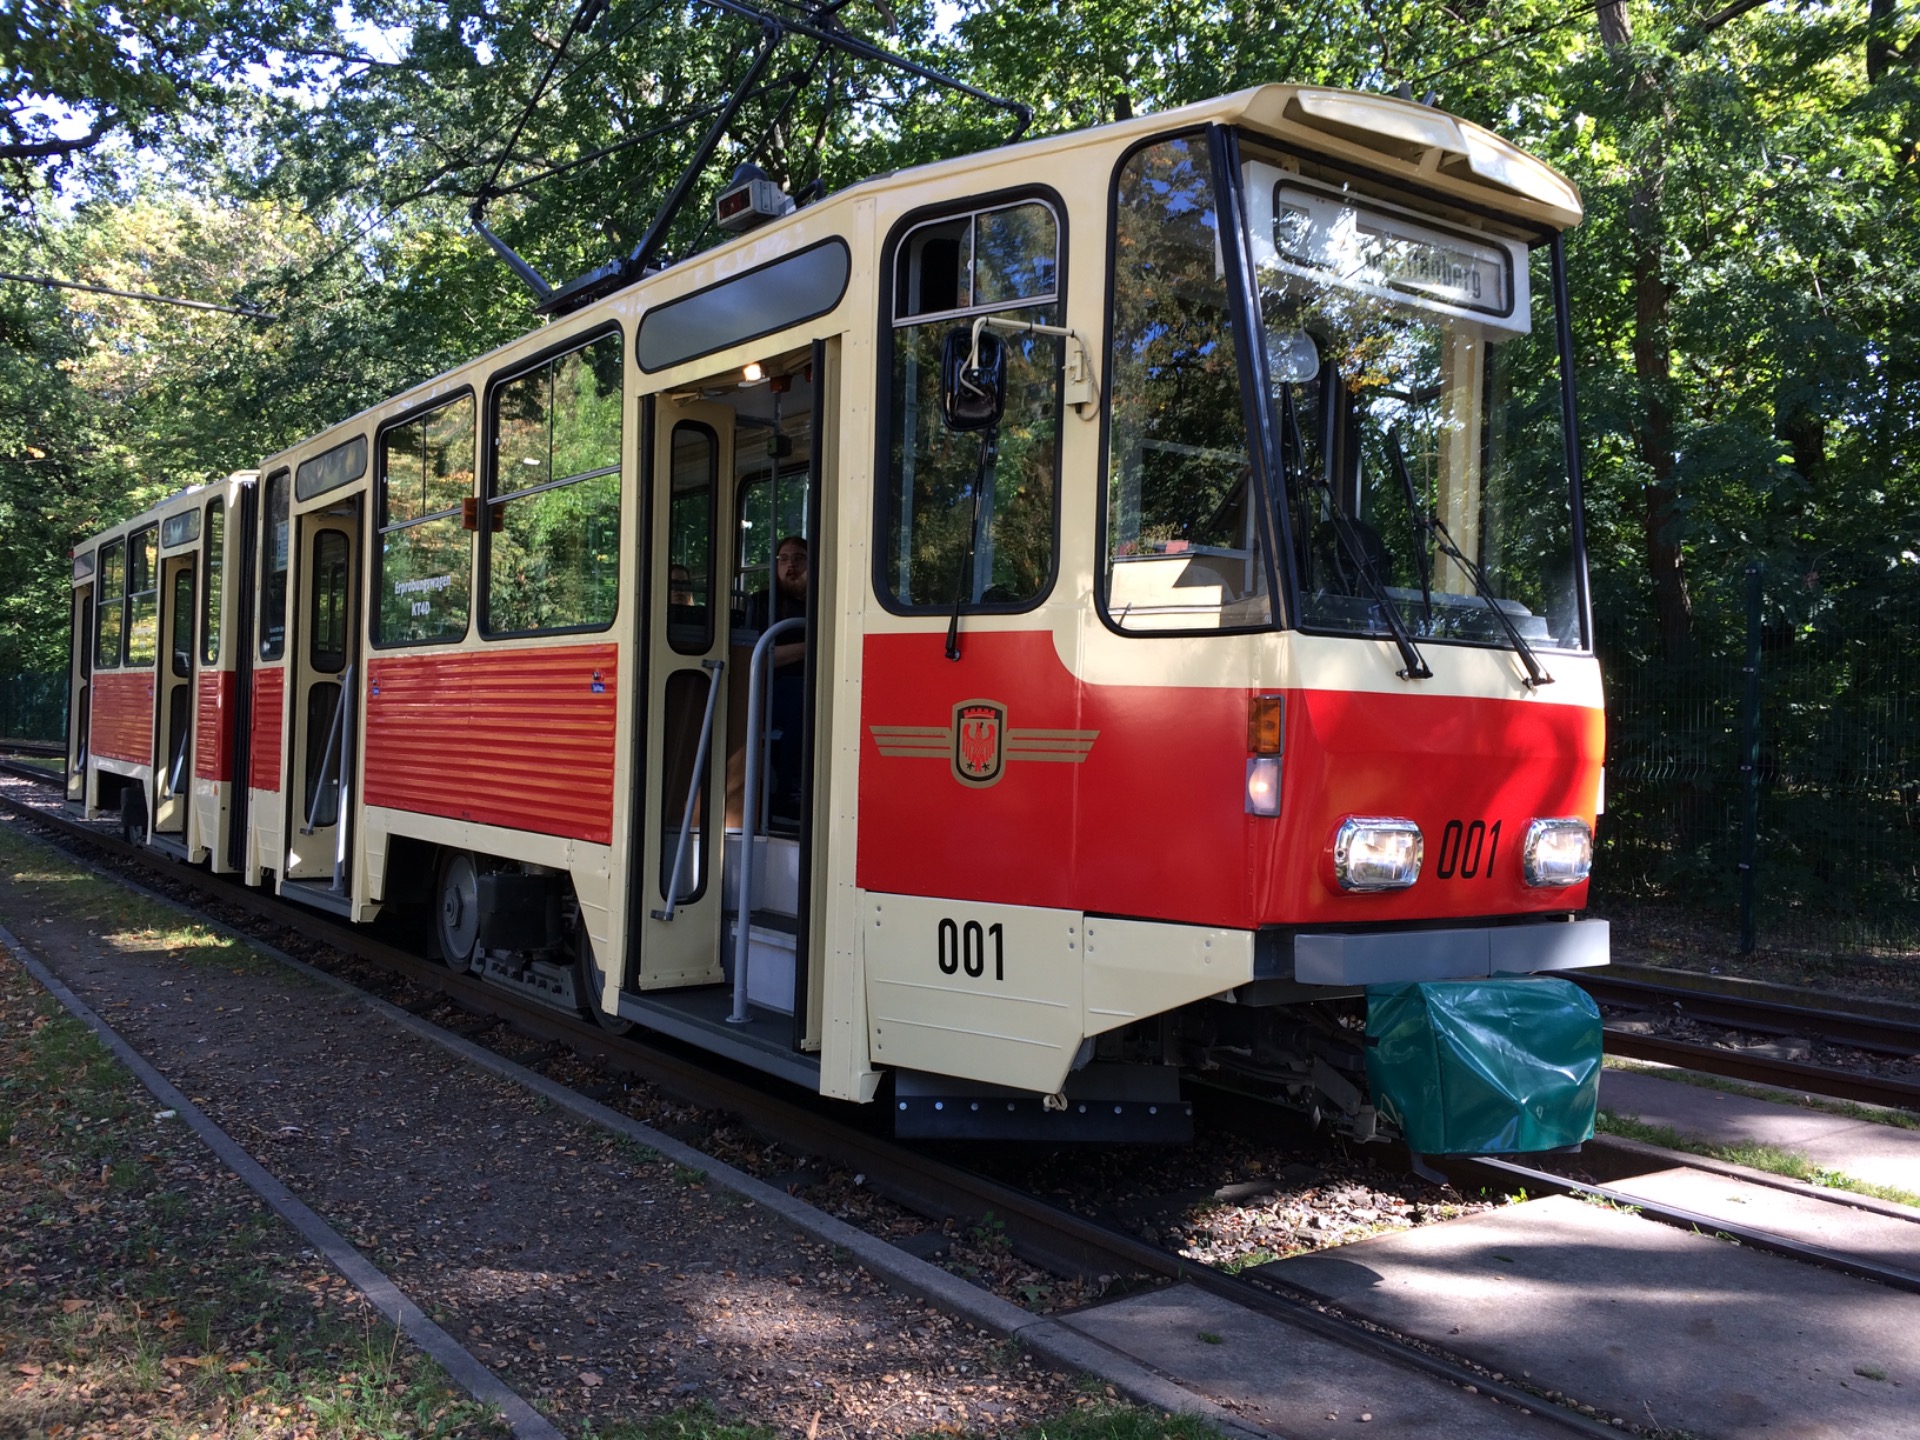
(732,471)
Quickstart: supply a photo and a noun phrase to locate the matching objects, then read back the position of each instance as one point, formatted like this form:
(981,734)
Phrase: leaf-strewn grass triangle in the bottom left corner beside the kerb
(147,1285)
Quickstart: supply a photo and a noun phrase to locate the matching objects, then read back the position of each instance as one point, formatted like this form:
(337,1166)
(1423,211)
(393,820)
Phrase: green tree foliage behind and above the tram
(1746,289)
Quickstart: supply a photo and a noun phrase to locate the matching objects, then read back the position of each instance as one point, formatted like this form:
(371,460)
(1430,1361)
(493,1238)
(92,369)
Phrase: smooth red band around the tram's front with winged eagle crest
(1126,800)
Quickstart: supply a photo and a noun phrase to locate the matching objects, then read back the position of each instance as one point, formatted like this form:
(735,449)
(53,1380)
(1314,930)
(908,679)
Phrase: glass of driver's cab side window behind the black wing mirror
(949,274)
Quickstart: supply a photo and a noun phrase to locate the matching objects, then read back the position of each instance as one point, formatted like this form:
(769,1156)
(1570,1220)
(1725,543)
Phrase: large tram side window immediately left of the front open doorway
(554,496)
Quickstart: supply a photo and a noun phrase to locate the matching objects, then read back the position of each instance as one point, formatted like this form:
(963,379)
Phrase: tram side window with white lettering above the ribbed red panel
(425,562)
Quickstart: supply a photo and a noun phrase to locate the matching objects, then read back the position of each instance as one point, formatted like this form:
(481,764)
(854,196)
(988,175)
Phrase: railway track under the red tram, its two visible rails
(1051,1236)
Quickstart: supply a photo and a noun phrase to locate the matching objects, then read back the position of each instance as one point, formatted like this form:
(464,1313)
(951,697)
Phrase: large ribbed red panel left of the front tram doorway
(502,738)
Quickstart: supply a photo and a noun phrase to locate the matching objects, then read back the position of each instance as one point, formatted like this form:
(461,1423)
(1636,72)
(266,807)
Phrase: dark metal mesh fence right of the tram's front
(1769,786)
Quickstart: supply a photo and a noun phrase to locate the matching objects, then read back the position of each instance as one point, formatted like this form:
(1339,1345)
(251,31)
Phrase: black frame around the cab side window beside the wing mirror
(886,329)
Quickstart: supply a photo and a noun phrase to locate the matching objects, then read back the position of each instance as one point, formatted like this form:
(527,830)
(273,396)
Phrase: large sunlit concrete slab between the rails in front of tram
(1662,1328)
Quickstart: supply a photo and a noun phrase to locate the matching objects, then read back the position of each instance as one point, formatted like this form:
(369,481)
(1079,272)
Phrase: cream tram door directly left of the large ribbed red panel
(324,694)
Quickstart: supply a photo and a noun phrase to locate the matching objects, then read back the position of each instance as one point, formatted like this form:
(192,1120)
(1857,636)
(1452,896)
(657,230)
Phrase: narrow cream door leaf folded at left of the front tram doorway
(684,694)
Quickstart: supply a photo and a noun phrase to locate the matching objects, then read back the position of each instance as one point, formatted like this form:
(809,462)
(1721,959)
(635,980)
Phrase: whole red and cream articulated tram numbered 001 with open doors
(992,640)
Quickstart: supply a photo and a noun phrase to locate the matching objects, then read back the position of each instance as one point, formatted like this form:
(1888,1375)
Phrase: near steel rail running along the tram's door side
(1045,1234)
